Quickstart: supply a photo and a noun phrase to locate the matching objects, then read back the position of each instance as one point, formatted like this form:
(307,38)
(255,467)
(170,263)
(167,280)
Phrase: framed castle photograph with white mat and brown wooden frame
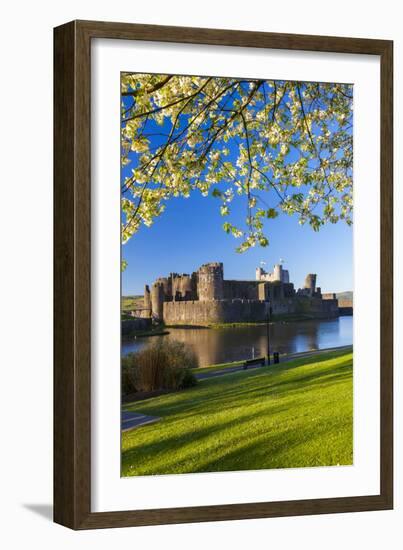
(223,275)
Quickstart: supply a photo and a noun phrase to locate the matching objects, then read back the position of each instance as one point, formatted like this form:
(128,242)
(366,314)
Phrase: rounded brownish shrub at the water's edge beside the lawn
(162,365)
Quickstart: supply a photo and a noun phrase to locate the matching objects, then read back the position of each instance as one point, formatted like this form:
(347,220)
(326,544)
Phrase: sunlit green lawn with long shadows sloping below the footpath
(284,416)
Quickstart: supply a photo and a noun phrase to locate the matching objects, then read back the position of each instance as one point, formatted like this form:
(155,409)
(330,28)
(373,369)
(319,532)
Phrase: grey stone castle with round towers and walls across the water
(205,297)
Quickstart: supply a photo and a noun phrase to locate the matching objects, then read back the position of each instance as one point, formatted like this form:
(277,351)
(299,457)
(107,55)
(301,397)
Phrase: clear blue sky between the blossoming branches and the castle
(189,233)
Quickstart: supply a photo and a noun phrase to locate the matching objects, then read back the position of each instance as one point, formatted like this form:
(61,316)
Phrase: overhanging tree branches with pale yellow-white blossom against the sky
(280,146)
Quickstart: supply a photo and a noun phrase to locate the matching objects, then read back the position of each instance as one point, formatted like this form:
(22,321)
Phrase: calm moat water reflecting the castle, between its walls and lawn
(223,345)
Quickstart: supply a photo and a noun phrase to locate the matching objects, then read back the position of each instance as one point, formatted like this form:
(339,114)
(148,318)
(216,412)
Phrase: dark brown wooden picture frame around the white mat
(72,271)
